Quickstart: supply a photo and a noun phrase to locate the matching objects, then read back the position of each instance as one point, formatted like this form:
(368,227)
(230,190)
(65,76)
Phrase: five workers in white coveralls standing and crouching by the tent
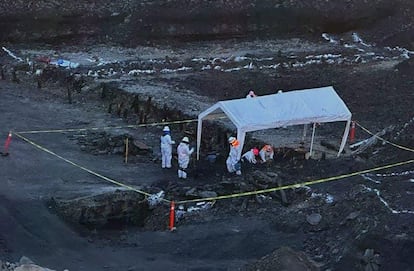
(233,161)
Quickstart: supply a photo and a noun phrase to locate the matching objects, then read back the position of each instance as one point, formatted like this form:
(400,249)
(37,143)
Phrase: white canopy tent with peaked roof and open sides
(309,106)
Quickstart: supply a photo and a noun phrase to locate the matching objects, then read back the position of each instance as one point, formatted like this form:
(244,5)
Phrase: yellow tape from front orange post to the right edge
(296,185)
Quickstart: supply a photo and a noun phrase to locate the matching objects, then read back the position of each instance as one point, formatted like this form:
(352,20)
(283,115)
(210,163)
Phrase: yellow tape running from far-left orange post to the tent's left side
(107,127)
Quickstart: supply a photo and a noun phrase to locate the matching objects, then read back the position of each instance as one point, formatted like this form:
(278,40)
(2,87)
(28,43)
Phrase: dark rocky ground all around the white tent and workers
(71,200)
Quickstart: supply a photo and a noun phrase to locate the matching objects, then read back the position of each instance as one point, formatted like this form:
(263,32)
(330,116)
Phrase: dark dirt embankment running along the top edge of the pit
(132,22)
